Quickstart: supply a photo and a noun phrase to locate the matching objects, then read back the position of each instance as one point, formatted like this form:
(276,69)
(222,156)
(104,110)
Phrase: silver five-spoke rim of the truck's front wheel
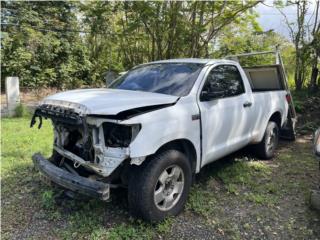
(169,188)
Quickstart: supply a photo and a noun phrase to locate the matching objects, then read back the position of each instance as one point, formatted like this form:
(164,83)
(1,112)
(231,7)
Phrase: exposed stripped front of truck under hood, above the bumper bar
(94,143)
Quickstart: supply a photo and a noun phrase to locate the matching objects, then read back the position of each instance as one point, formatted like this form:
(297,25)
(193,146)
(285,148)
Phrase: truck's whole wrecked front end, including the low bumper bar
(90,147)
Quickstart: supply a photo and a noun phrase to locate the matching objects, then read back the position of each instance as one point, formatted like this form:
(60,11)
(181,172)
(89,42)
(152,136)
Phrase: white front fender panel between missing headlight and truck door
(158,128)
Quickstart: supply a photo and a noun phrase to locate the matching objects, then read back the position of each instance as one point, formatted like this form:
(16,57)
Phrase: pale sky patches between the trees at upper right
(271,18)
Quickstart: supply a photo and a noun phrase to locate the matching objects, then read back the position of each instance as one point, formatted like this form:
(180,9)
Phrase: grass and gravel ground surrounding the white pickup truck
(238,197)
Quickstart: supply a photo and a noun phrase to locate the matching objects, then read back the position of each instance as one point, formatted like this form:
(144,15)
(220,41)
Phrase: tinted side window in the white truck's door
(225,80)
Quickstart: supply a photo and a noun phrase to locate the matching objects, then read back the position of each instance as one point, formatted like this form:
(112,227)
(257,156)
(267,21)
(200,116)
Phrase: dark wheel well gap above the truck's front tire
(186,147)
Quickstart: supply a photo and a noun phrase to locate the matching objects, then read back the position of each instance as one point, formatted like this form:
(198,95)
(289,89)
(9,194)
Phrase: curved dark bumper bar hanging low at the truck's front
(71,181)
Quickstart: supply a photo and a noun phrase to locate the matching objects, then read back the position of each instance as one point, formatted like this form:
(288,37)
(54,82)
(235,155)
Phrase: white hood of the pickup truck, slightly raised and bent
(107,101)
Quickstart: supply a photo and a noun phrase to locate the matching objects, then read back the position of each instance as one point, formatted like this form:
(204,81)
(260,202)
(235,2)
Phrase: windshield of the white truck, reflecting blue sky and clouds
(168,78)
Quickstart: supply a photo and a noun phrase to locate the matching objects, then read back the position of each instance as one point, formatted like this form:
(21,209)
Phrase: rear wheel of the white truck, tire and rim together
(266,148)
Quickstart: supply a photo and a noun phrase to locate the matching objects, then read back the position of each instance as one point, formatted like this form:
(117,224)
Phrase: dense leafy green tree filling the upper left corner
(42,44)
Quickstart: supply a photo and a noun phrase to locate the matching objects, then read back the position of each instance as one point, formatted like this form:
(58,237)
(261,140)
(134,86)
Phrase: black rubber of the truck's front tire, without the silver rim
(144,180)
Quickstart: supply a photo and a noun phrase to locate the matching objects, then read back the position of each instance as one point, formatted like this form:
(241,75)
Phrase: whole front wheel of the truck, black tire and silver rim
(160,187)
